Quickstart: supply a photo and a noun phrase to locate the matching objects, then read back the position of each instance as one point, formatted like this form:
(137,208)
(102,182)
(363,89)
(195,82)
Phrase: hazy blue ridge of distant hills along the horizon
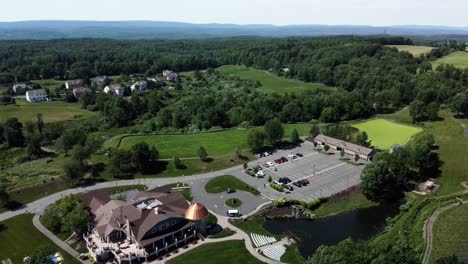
(176,30)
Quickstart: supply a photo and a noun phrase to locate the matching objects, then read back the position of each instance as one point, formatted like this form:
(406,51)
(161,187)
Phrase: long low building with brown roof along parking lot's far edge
(352,149)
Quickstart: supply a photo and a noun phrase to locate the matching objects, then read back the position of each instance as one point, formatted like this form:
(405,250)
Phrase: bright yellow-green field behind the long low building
(384,133)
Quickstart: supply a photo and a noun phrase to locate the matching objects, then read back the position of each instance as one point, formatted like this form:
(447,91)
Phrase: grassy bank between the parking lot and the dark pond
(353,202)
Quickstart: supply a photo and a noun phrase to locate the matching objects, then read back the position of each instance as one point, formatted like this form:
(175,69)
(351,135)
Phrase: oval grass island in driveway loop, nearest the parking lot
(222,183)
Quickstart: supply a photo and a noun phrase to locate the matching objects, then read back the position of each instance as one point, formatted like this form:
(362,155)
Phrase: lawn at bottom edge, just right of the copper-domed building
(229,252)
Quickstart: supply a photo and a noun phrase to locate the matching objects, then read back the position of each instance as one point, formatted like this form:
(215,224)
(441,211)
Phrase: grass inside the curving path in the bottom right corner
(451,234)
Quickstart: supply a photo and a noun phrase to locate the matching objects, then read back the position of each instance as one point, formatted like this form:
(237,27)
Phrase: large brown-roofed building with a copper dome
(146,226)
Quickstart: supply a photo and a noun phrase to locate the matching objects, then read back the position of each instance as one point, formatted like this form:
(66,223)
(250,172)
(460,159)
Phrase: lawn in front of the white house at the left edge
(52,111)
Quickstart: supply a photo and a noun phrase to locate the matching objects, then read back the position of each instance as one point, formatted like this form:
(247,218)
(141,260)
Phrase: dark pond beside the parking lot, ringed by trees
(358,225)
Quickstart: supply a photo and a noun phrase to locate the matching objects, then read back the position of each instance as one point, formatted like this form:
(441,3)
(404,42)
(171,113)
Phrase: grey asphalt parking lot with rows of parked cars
(326,172)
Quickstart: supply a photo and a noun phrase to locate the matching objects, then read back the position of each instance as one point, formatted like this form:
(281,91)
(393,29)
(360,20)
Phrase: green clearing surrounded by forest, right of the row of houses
(270,82)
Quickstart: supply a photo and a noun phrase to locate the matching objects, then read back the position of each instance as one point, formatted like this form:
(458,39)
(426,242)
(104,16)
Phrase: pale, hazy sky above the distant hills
(276,12)
